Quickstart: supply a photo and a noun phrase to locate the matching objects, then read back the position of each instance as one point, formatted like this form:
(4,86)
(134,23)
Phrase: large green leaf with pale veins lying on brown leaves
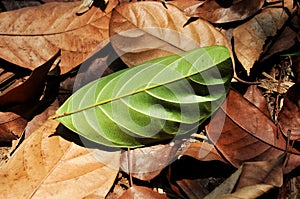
(151,102)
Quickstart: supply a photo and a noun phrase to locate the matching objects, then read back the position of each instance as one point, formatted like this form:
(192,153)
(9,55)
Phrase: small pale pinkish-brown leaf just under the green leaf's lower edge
(147,162)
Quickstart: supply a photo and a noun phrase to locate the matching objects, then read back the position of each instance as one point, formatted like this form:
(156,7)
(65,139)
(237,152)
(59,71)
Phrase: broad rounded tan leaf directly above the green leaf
(139,35)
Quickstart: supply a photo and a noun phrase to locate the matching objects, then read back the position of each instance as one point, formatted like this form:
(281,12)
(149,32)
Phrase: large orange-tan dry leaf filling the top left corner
(30,36)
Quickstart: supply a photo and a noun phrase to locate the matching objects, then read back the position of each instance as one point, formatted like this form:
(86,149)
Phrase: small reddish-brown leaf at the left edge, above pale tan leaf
(11,126)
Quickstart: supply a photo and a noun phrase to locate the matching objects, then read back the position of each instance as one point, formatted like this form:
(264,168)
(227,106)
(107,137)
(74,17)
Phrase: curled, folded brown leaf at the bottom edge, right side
(259,177)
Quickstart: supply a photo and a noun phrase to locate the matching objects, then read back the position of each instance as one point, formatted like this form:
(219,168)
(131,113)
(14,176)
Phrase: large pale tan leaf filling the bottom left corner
(47,166)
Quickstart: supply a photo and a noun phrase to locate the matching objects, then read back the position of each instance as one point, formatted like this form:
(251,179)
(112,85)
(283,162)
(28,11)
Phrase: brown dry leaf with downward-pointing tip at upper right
(250,38)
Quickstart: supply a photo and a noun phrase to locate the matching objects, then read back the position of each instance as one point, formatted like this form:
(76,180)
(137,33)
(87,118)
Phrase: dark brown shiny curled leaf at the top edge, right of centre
(236,10)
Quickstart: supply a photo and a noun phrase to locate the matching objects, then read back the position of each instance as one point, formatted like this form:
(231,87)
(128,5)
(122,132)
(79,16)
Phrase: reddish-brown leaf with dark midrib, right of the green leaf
(242,133)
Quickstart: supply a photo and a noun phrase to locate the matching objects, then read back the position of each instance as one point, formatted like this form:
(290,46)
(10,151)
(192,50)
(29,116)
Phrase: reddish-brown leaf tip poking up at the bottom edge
(137,192)
